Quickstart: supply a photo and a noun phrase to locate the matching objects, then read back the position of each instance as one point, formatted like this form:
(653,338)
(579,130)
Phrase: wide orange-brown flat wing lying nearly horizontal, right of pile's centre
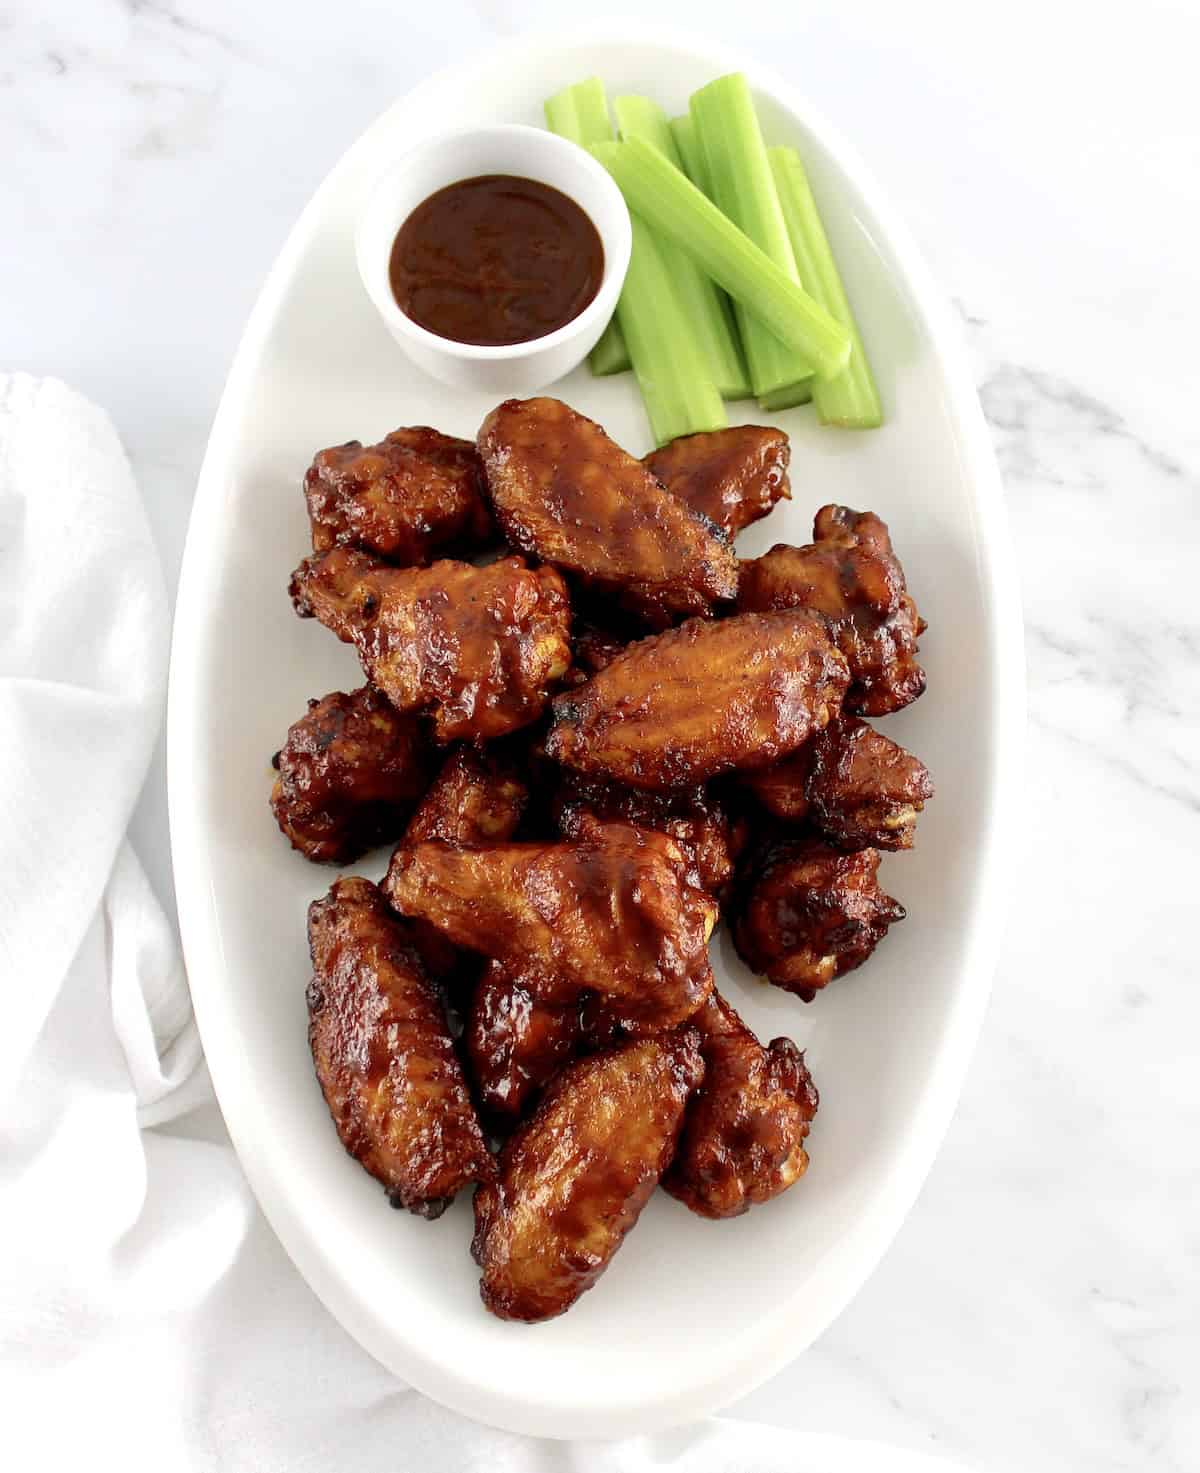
(687,705)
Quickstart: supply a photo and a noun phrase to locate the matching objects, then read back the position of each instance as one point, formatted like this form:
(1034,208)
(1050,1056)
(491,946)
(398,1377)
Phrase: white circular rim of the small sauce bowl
(616,233)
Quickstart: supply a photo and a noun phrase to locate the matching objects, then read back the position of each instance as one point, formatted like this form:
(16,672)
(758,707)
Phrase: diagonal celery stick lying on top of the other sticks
(668,201)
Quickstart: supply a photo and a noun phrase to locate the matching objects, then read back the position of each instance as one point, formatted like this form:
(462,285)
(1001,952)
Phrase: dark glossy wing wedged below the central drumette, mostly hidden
(515,1042)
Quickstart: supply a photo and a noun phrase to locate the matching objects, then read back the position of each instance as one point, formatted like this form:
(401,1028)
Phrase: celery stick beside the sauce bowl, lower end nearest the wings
(672,375)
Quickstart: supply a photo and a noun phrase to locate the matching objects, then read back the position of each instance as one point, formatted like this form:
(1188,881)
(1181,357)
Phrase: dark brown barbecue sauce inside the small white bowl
(495,260)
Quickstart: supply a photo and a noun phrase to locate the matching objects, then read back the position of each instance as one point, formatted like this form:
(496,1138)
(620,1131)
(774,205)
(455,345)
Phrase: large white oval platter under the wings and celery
(691,1313)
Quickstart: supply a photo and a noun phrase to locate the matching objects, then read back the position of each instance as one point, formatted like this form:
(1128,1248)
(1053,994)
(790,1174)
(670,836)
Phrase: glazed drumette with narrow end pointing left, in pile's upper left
(479,647)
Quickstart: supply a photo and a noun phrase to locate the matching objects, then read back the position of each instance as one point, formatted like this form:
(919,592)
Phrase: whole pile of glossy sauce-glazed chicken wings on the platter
(591,733)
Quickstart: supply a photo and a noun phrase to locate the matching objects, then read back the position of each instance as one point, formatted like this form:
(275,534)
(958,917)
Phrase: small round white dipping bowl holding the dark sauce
(503,150)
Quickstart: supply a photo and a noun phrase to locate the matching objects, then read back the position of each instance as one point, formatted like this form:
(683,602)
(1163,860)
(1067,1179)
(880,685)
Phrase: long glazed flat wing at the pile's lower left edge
(385,1058)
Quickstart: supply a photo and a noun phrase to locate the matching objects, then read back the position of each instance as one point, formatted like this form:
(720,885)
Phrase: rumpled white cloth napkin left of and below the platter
(148,1316)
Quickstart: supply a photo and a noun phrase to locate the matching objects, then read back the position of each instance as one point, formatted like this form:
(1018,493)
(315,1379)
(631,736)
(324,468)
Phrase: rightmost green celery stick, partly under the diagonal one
(852,400)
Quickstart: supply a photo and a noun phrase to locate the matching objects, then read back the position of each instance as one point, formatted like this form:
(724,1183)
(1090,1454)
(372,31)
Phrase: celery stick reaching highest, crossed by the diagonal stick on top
(743,188)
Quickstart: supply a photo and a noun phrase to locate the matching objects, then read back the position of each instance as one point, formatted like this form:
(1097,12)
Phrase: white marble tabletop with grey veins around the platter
(1042,1307)
